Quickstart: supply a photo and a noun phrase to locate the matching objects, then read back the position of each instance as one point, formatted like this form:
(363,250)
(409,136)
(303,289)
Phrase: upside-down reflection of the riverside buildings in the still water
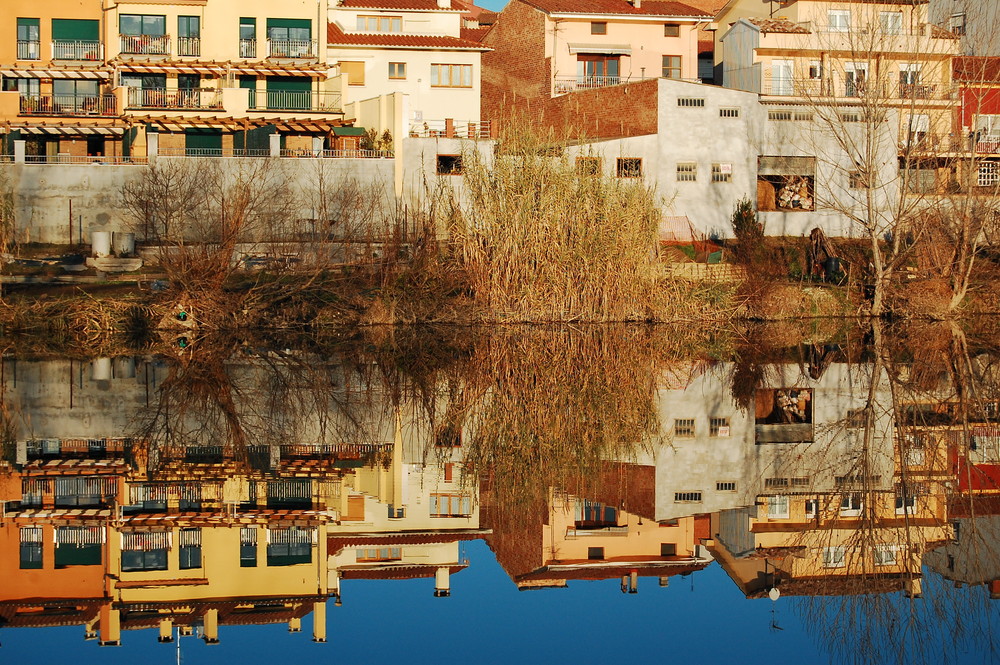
(824,477)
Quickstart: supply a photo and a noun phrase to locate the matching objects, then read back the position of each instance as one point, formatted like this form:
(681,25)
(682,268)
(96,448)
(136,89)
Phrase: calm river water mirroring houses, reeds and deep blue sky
(793,493)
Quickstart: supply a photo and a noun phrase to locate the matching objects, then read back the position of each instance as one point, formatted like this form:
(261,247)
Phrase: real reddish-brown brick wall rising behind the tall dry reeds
(516,87)
